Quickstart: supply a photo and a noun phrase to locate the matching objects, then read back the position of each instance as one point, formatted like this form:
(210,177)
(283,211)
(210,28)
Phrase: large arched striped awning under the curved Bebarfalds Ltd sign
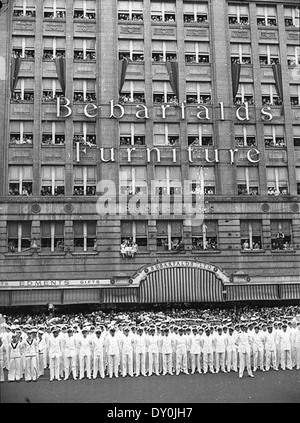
(181,284)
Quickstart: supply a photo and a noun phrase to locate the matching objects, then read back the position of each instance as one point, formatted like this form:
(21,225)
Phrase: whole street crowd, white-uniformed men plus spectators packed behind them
(145,343)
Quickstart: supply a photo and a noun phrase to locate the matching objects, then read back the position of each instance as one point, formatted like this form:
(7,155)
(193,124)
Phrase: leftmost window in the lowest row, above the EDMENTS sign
(19,236)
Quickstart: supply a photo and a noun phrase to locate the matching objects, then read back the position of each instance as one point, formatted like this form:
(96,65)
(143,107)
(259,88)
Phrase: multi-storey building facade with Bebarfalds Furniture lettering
(163,99)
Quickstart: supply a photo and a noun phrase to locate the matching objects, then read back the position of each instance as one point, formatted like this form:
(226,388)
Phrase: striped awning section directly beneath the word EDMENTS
(36,297)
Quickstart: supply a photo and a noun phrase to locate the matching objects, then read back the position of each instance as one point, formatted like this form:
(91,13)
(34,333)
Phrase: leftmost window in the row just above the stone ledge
(20,180)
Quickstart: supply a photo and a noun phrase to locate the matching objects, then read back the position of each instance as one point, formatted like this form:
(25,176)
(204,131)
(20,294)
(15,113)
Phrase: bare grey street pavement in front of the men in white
(271,387)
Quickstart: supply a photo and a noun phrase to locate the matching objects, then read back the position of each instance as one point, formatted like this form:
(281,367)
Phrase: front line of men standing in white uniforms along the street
(146,350)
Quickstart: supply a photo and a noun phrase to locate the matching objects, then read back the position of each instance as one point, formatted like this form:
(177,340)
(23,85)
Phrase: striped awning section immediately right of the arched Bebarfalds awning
(252,292)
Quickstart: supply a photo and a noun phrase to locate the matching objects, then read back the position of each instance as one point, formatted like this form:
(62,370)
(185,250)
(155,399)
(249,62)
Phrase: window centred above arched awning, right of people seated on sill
(169,236)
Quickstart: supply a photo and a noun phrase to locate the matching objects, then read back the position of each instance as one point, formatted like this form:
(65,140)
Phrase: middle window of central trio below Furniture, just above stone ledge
(167,180)
